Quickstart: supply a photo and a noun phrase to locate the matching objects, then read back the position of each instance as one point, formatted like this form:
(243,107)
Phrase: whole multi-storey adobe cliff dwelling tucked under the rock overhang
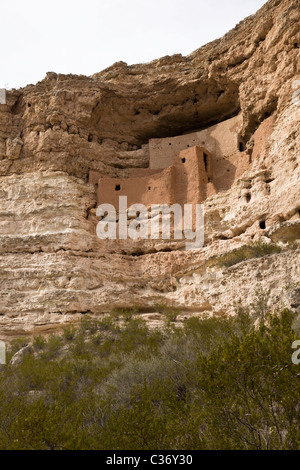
(185,169)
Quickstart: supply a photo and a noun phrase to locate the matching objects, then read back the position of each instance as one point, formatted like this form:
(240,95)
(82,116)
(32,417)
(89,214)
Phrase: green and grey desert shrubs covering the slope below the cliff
(212,383)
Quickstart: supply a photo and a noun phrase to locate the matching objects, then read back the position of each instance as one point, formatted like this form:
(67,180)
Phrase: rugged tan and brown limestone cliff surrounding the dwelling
(53,134)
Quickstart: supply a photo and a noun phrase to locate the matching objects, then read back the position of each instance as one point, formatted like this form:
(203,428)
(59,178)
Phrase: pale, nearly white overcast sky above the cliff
(84,37)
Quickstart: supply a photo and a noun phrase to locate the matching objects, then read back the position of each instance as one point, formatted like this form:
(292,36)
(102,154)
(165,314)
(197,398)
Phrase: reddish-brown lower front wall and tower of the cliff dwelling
(183,182)
